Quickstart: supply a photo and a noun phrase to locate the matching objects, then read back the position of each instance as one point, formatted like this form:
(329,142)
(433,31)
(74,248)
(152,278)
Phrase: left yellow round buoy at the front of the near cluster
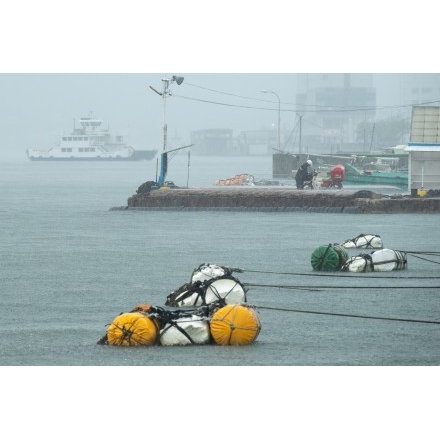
(131,329)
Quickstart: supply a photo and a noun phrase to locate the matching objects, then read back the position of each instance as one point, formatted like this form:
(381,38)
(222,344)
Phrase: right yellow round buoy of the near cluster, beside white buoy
(235,324)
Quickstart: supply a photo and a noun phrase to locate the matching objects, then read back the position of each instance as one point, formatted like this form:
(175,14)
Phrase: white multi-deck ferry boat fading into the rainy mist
(90,141)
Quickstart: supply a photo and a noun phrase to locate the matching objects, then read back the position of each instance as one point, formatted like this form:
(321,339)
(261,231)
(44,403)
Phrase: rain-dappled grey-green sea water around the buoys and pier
(69,266)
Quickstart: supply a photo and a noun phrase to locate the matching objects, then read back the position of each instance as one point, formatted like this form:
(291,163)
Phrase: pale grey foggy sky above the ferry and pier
(38,107)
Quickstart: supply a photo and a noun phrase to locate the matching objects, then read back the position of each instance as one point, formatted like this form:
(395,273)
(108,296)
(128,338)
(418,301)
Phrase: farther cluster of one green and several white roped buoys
(334,257)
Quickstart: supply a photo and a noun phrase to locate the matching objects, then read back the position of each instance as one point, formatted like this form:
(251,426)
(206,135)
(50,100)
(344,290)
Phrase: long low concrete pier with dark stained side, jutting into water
(279,199)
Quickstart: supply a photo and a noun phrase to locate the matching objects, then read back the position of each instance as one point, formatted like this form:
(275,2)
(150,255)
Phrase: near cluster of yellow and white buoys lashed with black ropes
(211,308)
